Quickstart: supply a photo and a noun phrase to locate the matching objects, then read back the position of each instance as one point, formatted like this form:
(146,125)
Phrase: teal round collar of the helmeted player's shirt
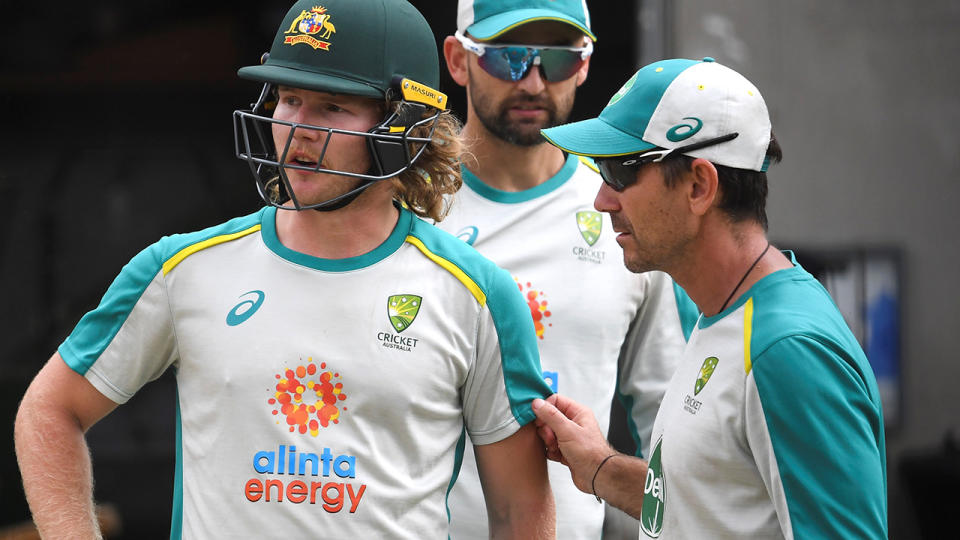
(393,242)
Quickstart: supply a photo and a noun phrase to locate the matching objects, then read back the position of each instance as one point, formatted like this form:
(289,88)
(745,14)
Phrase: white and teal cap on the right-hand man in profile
(675,103)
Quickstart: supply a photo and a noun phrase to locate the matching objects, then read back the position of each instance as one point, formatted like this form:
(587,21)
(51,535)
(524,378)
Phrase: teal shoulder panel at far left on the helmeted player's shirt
(97,328)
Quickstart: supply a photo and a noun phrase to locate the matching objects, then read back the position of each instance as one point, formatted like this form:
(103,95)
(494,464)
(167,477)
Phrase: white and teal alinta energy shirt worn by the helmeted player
(317,398)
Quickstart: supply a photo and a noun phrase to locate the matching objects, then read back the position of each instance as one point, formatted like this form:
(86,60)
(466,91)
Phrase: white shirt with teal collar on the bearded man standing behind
(588,310)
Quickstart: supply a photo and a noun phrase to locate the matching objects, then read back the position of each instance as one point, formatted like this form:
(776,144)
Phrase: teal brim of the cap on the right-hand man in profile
(594,138)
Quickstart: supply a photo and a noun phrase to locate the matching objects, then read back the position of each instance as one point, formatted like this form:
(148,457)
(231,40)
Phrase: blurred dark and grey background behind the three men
(116,130)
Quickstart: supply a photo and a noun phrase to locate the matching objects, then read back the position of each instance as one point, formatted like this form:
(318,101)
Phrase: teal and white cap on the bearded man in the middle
(487,19)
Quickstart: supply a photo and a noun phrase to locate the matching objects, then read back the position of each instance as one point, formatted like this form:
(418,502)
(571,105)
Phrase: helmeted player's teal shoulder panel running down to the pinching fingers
(519,354)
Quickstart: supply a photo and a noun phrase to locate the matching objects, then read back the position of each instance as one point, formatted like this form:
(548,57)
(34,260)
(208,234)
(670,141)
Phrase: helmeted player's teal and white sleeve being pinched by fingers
(506,376)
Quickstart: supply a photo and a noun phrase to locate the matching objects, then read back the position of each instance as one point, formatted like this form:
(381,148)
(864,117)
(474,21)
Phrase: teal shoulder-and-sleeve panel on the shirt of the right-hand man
(822,410)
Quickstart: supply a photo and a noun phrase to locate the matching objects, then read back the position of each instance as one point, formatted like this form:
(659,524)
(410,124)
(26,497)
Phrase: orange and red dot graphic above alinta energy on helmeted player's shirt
(308,398)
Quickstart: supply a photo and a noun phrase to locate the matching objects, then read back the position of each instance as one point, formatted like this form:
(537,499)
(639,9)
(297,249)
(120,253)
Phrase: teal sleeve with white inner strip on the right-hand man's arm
(816,434)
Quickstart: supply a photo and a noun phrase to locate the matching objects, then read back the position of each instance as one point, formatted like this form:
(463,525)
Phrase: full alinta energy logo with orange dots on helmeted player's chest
(308,397)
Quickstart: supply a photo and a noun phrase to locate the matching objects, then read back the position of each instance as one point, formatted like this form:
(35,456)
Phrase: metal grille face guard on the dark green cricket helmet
(392,148)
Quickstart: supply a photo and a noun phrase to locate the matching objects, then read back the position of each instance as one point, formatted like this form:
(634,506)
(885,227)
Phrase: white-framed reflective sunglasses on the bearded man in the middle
(509,62)
